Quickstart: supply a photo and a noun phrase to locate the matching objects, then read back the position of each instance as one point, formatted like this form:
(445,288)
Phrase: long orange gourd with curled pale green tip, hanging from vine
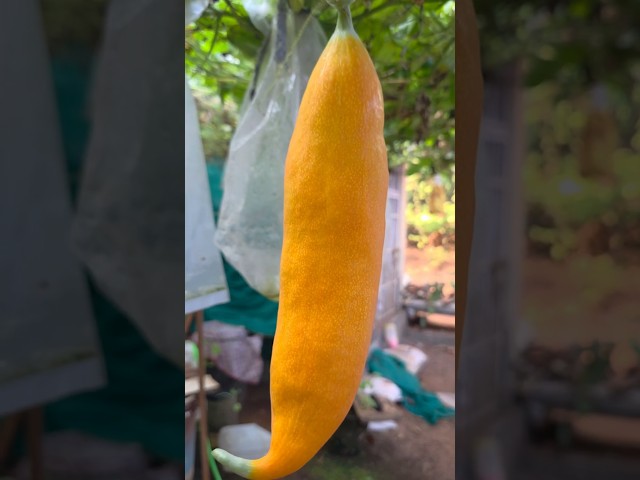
(336,181)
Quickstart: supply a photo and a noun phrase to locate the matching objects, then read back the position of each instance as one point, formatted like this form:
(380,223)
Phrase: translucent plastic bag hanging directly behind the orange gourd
(250,224)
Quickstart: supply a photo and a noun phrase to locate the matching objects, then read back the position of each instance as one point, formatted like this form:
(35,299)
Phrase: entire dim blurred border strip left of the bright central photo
(92,214)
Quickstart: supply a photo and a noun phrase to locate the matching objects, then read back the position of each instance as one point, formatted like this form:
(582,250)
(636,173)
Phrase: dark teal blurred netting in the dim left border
(142,401)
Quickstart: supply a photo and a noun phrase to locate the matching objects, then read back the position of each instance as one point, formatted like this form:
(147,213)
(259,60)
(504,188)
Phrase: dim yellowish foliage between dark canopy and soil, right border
(581,198)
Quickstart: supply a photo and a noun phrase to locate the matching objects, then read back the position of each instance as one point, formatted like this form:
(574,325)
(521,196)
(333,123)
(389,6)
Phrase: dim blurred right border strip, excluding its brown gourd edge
(549,376)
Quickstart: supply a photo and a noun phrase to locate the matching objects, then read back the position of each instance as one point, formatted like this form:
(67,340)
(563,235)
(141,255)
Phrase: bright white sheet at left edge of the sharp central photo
(205,283)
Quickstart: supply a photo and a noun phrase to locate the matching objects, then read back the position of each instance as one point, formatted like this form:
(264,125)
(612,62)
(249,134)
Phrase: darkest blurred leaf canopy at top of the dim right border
(572,42)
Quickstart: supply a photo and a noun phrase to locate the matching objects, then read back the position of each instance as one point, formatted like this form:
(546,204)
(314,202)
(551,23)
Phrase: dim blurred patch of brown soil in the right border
(563,305)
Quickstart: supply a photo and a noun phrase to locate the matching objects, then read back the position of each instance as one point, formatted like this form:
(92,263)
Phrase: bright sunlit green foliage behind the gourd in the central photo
(412,45)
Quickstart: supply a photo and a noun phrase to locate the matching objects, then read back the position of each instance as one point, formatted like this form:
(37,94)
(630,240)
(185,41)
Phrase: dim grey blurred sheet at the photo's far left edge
(48,339)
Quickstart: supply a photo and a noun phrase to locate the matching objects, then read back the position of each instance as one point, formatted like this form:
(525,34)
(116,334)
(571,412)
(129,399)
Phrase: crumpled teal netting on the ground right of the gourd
(415,399)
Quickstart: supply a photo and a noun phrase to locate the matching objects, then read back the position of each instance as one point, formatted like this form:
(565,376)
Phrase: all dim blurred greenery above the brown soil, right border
(581,65)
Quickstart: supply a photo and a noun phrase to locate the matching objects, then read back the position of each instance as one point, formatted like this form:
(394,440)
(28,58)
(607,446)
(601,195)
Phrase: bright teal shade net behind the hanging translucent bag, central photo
(247,307)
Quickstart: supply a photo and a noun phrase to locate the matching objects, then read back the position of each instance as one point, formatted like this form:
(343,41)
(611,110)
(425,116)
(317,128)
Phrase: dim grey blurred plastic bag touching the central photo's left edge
(131,210)
